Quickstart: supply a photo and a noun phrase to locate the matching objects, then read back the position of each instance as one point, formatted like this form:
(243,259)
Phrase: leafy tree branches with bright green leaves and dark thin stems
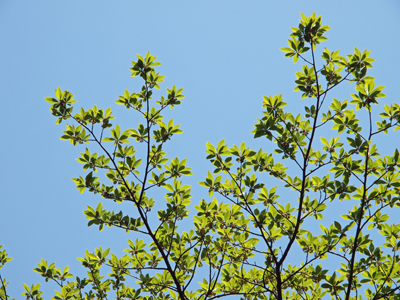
(246,242)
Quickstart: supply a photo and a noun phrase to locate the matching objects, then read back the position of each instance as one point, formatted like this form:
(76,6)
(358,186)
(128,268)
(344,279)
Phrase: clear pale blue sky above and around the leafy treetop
(225,54)
